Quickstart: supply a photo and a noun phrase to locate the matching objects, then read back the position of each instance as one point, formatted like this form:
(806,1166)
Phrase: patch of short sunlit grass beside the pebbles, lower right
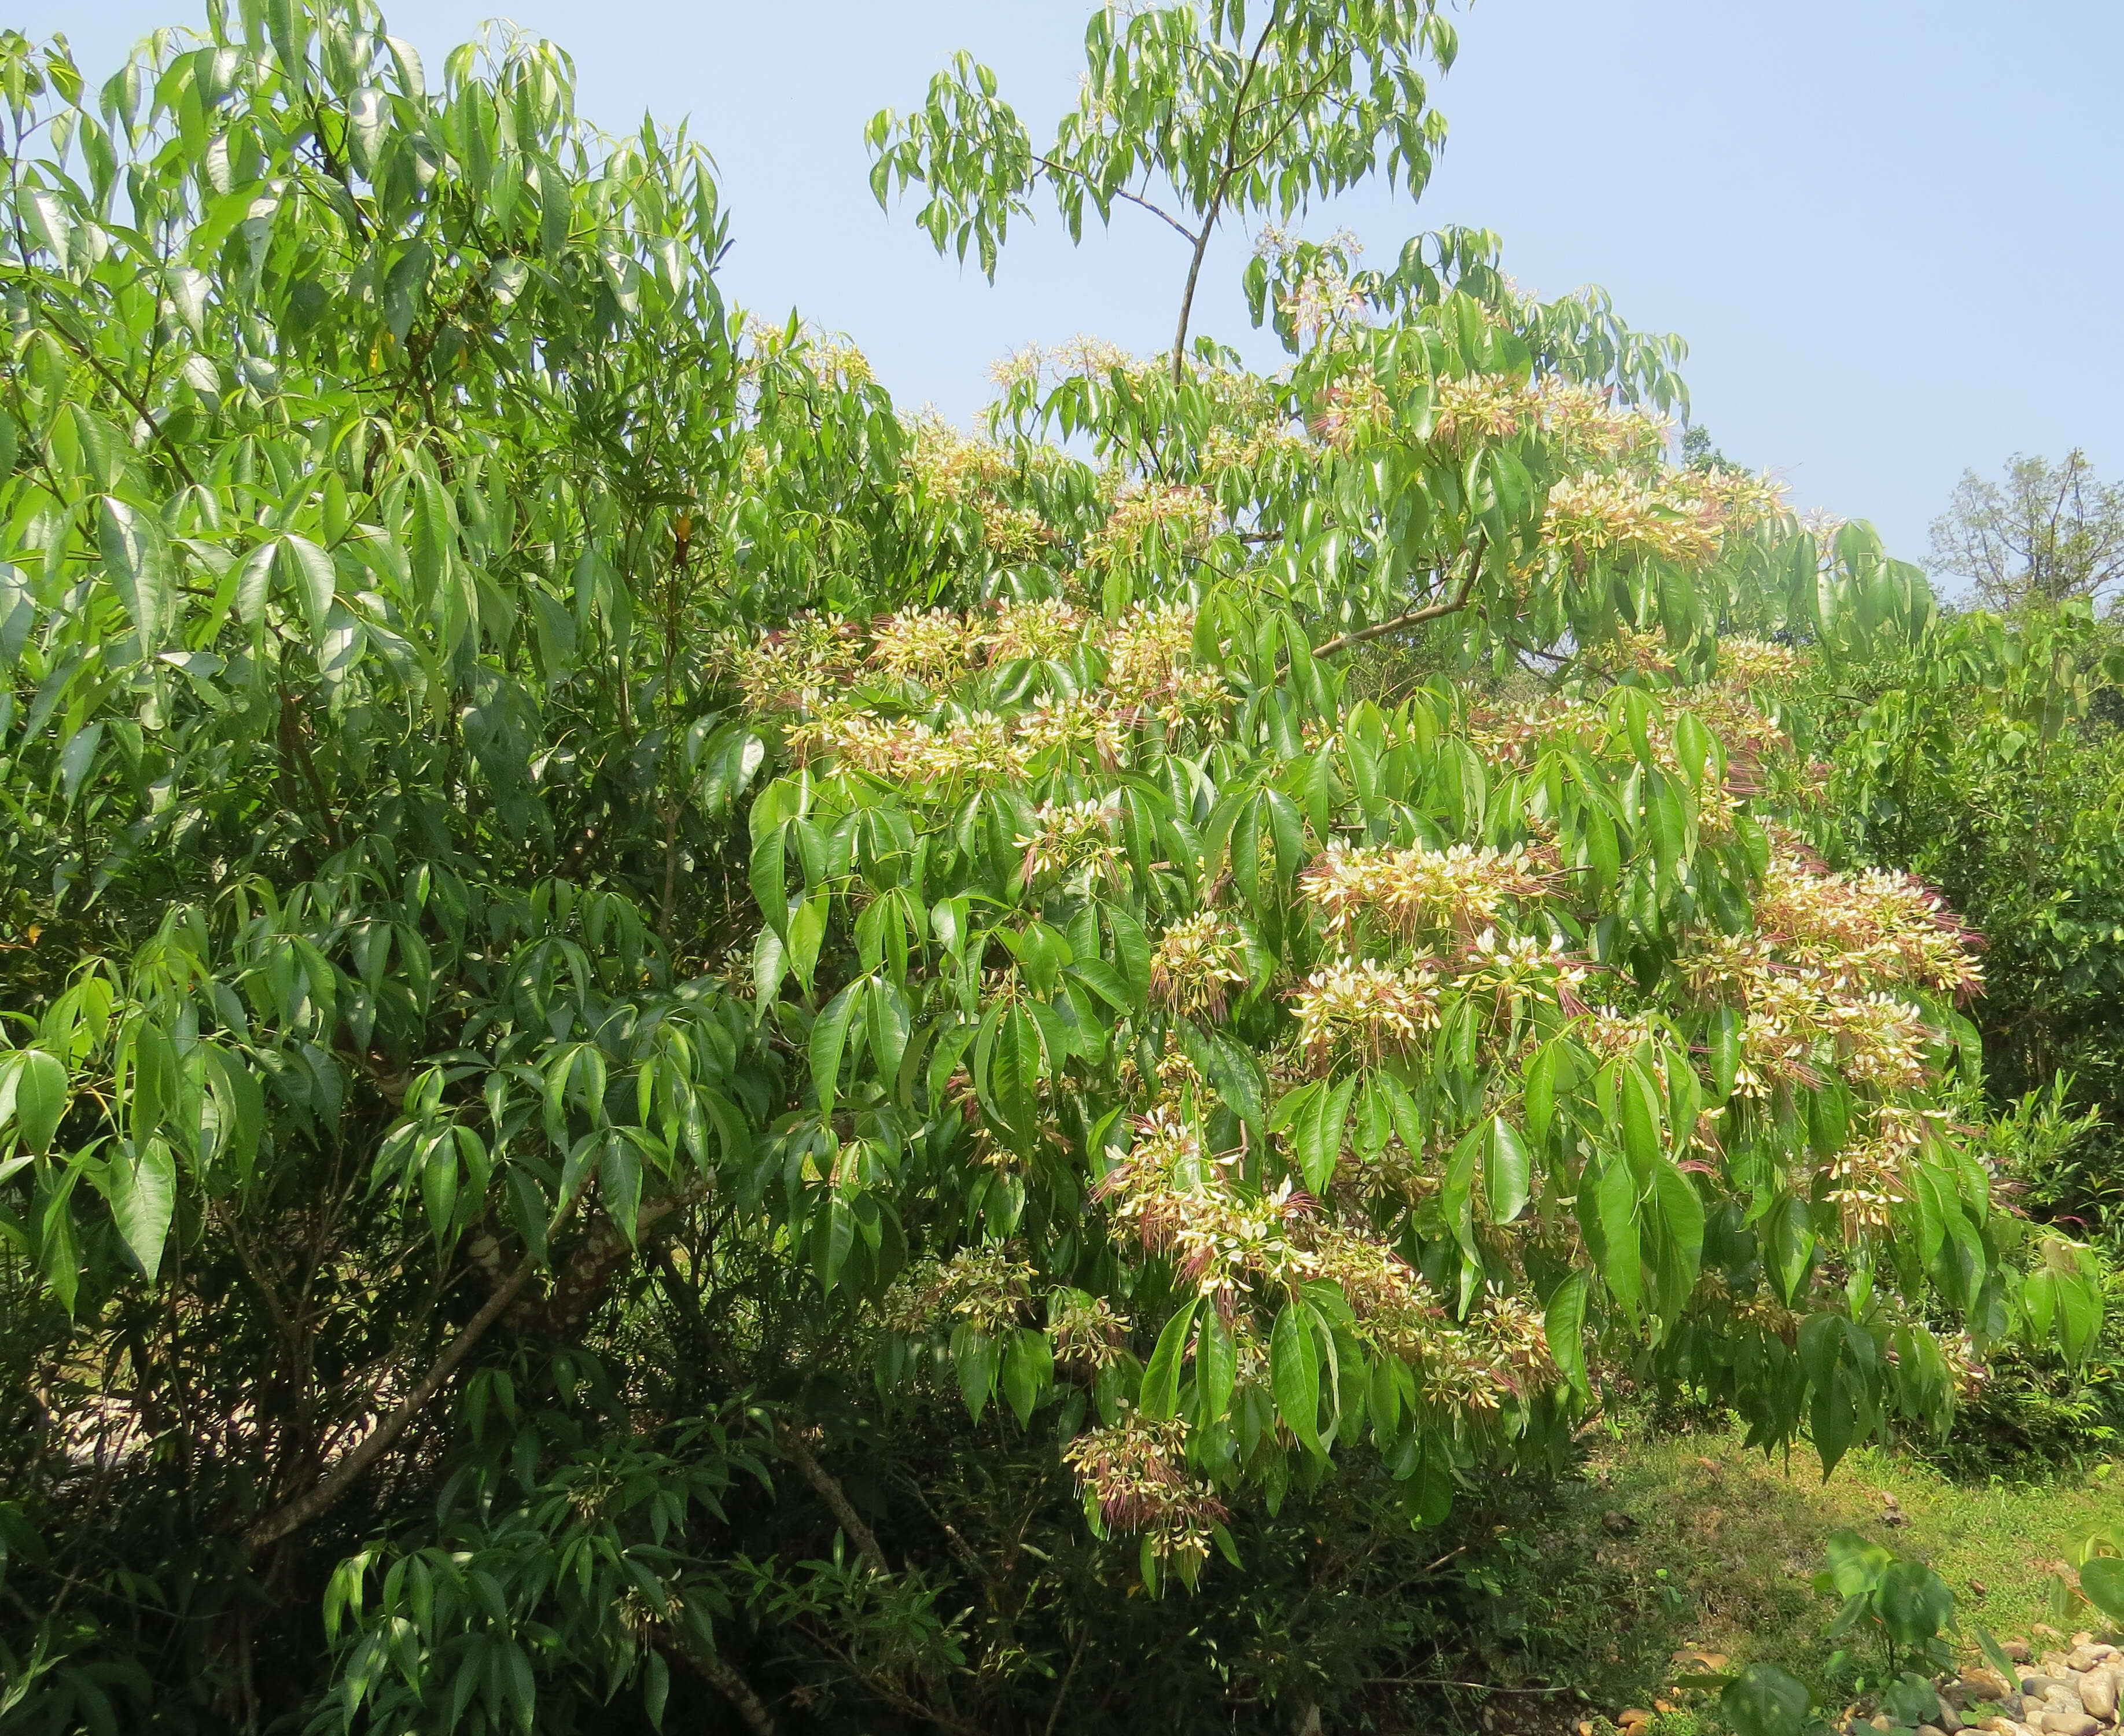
(1711,1550)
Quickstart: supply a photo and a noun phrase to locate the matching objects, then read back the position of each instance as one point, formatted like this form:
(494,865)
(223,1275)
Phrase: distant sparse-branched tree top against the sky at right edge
(2051,534)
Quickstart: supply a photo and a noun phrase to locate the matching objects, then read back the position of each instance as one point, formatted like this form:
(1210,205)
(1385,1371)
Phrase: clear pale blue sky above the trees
(1887,228)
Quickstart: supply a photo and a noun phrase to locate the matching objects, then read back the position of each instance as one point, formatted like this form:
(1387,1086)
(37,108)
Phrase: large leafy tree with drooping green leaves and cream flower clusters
(594,915)
